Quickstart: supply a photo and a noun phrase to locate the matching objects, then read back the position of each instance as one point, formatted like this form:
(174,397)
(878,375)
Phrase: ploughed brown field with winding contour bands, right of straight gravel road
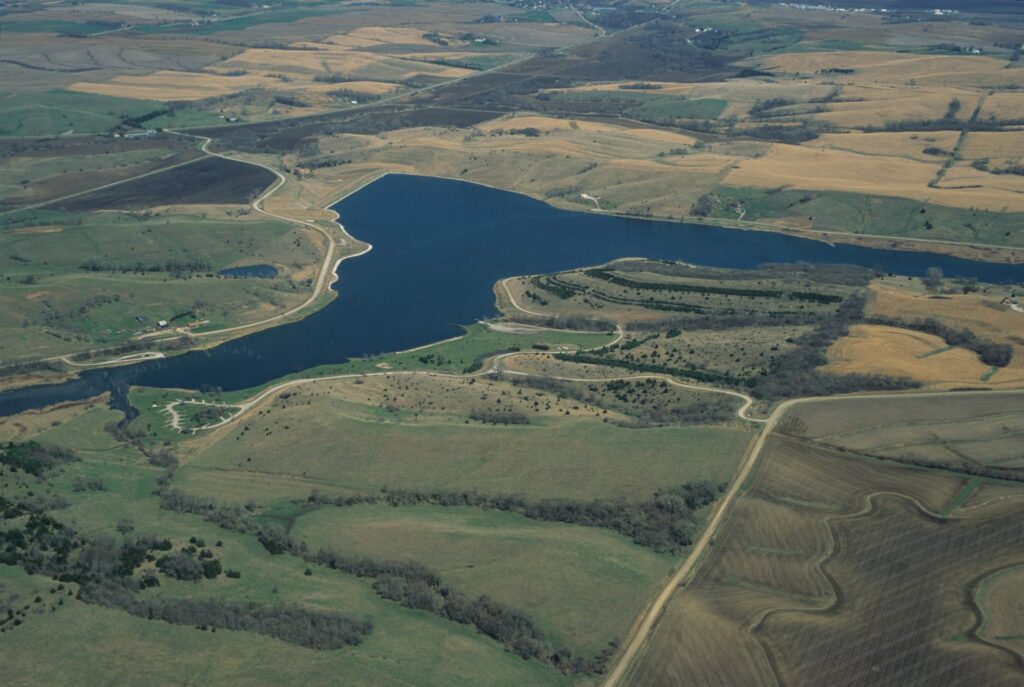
(834,570)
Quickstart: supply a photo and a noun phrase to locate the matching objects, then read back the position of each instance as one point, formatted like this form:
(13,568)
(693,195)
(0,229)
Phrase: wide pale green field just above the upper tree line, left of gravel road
(572,458)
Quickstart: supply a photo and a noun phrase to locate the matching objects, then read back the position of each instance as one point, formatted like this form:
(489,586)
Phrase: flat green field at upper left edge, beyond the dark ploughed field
(53,113)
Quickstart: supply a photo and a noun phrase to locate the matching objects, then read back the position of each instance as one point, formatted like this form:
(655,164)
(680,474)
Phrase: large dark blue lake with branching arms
(440,246)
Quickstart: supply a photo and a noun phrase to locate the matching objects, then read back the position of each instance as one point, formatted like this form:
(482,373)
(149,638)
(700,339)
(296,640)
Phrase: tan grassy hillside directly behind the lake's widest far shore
(619,164)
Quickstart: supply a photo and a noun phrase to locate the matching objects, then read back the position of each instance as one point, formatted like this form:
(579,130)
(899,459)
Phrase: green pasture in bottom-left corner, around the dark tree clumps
(101,646)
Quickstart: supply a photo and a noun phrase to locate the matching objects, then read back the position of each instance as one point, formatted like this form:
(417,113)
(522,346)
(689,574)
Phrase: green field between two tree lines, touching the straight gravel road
(584,586)
